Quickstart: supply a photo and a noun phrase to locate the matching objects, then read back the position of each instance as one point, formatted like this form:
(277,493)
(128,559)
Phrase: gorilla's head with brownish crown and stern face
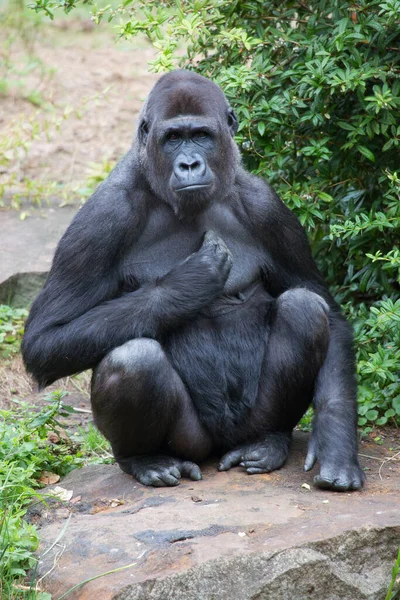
(185,142)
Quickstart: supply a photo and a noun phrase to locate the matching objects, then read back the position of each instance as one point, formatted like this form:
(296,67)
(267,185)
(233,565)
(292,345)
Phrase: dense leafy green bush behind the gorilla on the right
(316,86)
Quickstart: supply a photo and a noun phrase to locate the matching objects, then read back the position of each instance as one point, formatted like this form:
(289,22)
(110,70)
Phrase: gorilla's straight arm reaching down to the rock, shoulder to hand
(334,438)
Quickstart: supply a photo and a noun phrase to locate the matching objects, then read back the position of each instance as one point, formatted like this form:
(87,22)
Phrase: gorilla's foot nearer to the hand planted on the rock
(261,457)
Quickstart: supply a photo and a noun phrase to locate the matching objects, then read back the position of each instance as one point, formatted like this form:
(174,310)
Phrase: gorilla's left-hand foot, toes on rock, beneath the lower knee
(159,471)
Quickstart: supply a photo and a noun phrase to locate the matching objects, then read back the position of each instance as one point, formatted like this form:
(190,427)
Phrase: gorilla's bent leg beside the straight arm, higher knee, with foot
(295,351)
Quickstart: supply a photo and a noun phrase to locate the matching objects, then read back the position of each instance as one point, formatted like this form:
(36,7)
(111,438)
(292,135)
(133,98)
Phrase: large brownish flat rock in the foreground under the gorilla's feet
(230,536)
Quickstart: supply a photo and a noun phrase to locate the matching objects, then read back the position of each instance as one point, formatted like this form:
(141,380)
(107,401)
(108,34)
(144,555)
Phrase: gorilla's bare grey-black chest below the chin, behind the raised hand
(165,242)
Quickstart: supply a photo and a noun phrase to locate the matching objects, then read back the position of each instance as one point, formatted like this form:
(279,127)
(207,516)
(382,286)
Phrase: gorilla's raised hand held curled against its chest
(201,277)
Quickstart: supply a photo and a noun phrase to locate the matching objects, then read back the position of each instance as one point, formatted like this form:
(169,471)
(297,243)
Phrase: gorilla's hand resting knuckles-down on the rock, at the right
(339,467)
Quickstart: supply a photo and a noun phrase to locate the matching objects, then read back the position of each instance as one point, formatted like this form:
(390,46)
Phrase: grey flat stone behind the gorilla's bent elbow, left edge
(27,249)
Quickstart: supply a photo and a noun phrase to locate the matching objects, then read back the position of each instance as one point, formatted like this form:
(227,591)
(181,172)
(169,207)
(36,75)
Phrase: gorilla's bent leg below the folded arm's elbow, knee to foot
(140,404)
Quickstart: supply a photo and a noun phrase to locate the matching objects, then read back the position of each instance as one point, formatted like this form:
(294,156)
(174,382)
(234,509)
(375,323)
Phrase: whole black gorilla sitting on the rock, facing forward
(190,289)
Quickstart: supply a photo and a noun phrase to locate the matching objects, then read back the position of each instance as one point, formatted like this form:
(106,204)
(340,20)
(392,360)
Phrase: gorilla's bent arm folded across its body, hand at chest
(80,315)
